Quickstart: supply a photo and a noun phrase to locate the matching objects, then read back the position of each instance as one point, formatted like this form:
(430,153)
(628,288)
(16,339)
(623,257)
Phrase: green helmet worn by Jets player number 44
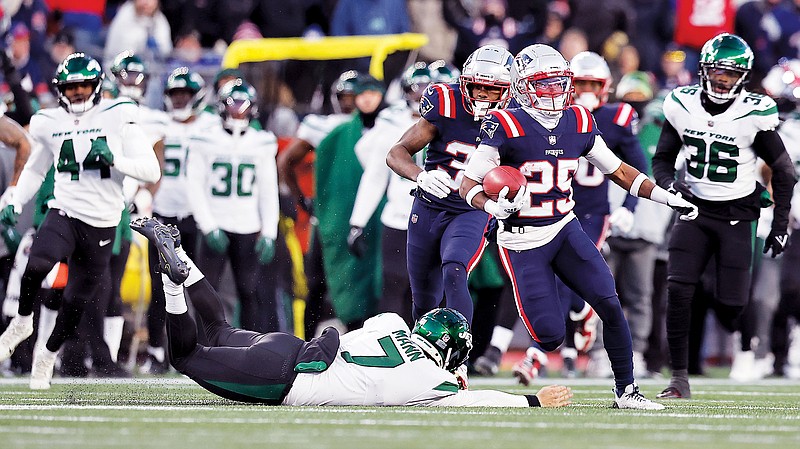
(78,68)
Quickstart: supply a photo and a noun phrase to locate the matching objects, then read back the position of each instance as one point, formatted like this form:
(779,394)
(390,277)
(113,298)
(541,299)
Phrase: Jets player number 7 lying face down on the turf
(384,363)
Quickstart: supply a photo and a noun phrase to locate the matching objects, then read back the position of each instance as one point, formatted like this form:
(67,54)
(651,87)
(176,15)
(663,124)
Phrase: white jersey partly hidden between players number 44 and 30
(171,198)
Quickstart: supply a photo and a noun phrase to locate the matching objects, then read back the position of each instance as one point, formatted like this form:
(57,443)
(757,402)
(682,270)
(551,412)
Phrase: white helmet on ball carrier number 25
(541,79)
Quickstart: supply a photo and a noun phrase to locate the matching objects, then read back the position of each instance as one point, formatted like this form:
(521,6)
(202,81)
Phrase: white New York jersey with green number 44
(85,188)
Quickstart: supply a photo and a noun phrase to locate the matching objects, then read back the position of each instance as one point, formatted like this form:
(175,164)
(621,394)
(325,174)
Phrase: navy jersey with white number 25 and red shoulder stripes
(547,158)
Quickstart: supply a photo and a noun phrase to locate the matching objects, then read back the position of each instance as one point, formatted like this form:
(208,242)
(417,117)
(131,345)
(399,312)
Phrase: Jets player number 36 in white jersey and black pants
(720,129)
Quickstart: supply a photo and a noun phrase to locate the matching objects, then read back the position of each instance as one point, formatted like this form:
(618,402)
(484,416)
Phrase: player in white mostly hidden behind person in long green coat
(312,130)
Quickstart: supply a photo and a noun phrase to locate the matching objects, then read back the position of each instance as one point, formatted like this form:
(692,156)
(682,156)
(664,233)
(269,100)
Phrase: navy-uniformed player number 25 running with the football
(539,236)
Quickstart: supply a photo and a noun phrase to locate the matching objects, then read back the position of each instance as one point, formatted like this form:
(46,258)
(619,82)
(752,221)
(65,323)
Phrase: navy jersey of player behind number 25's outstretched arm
(590,191)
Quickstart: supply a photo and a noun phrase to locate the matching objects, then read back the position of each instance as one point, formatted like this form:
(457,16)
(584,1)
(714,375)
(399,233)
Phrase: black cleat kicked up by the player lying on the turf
(166,239)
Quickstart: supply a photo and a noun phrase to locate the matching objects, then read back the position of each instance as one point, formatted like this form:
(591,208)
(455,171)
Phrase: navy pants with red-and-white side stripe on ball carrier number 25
(572,256)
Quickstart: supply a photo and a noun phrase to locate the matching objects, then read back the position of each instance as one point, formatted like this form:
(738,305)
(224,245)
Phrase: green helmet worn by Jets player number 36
(725,52)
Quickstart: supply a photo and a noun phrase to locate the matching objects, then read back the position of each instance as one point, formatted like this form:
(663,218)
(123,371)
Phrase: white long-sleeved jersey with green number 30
(232,180)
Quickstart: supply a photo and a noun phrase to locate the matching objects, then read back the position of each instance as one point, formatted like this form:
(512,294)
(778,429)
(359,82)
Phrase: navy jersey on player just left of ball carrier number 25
(455,141)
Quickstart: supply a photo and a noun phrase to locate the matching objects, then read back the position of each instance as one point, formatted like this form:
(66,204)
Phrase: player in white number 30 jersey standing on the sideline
(231,174)
